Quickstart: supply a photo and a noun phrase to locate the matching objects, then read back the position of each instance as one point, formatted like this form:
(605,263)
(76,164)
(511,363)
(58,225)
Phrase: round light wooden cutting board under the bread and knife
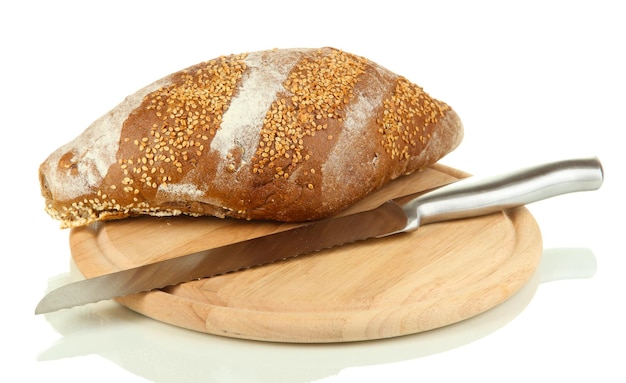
(408,283)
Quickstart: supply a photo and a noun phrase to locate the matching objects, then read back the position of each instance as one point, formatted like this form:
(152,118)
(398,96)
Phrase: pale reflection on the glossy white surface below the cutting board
(164,353)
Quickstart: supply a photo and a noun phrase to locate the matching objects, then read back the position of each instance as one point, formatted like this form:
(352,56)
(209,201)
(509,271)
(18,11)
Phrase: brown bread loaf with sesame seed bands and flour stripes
(287,135)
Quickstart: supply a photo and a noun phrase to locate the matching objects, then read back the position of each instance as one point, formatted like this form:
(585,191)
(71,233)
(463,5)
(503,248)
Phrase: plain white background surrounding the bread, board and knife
(533,81)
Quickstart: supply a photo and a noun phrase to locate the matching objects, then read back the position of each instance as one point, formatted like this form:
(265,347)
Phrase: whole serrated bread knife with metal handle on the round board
(469,197)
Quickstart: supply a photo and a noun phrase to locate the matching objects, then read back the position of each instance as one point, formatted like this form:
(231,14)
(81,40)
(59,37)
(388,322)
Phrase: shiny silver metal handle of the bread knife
(473,197)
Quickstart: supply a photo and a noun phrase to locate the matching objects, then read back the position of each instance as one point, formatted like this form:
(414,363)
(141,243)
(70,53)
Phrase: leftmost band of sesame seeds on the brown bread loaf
(185,114)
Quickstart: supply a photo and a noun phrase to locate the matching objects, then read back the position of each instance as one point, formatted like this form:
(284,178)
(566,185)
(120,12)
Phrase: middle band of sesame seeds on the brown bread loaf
(319,86)
